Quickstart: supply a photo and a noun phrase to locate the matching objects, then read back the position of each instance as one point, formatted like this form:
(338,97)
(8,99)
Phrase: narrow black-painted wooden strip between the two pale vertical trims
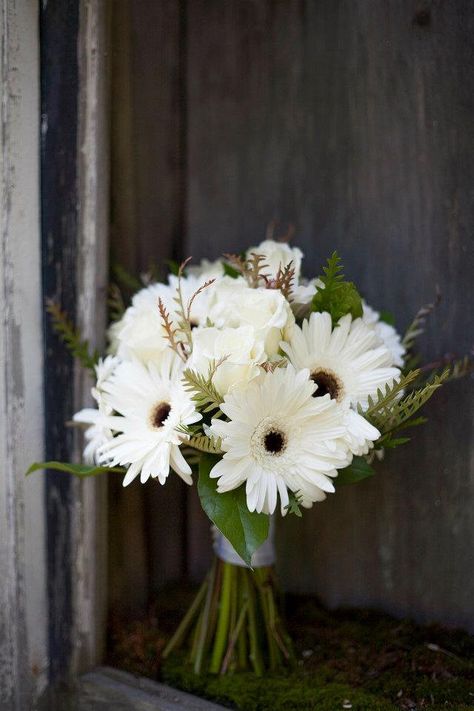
(59,25)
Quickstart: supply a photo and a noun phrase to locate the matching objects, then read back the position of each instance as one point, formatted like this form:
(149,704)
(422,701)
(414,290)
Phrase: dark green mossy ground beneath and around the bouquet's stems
(348,659)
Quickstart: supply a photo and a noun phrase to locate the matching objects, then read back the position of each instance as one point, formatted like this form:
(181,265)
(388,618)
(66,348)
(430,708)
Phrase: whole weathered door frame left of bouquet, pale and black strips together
(54,217)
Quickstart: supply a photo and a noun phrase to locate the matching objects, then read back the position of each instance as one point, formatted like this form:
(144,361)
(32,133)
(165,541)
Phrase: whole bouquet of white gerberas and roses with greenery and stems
(272,391)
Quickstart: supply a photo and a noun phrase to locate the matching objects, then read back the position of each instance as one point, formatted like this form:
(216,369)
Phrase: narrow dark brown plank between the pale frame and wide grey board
(147,224)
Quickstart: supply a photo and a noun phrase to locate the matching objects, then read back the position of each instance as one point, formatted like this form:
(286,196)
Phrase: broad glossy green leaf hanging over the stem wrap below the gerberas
(246,531)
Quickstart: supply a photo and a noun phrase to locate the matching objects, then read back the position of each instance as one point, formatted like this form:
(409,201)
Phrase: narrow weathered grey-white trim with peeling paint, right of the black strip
(90,499)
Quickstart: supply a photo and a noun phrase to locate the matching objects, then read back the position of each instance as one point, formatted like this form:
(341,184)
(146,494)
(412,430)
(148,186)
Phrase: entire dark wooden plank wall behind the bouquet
(354,121)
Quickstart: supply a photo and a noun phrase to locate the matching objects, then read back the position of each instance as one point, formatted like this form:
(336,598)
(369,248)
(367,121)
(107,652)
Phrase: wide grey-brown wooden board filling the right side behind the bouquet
(353,121)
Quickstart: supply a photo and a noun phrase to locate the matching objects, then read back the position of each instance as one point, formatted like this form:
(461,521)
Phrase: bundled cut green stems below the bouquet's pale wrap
(234,623)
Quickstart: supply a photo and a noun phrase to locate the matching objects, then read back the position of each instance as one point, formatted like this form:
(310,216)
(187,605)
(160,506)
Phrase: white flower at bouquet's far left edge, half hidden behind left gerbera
(98,432)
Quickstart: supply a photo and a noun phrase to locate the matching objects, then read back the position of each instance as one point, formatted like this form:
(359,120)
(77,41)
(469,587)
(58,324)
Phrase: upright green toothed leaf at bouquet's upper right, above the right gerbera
(337,297)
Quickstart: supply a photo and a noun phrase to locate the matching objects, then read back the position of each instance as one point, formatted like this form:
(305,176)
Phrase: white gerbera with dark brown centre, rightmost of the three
(346,362)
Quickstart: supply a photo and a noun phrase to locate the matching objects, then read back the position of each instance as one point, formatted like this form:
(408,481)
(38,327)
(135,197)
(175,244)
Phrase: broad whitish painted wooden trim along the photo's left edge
(23,606)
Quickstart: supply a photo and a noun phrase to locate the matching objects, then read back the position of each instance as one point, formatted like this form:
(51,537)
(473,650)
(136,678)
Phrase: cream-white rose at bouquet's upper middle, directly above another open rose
(233,303)
